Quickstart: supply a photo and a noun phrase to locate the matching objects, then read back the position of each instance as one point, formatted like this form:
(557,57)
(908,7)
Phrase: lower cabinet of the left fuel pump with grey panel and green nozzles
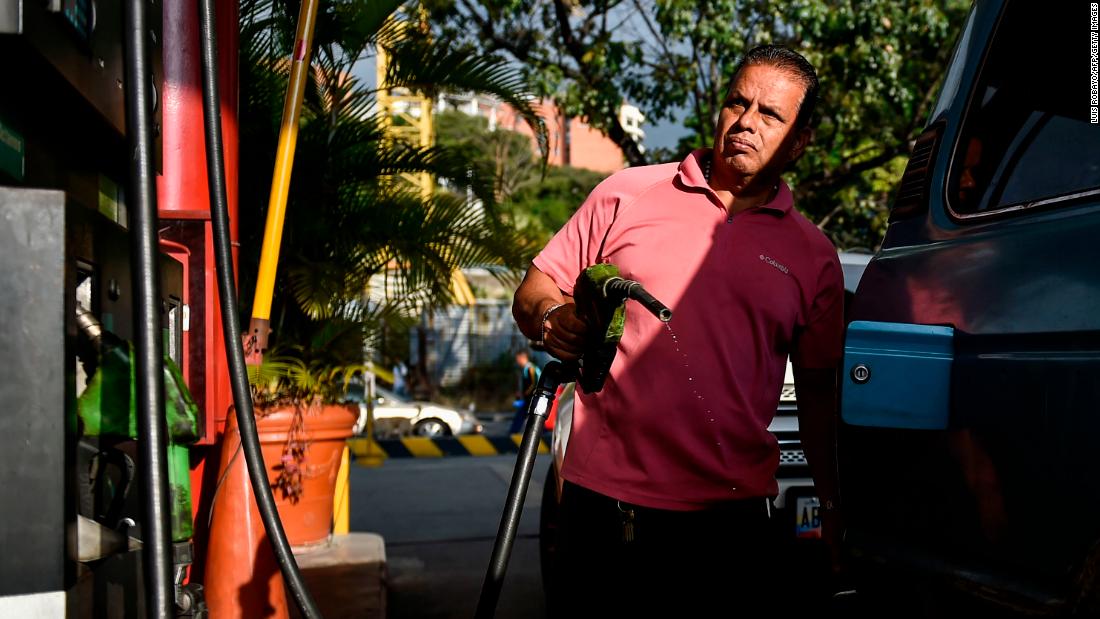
(73,512)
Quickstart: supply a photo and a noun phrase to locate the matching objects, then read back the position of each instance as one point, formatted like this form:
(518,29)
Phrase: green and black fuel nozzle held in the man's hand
(601,294)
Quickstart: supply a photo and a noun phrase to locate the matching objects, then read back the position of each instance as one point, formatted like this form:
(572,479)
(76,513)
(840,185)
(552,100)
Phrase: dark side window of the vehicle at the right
(1027,138)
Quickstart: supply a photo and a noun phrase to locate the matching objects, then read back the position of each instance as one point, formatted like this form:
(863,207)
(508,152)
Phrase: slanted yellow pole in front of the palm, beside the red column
(281,179)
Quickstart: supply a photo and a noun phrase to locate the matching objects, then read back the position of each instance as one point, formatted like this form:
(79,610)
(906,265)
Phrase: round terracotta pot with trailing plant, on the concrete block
(309,522)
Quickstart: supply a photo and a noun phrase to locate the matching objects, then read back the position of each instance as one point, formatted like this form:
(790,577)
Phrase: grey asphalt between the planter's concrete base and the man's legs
(439,519)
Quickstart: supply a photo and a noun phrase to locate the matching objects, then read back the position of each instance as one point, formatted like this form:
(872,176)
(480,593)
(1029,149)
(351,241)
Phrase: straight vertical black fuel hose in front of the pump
(149,350)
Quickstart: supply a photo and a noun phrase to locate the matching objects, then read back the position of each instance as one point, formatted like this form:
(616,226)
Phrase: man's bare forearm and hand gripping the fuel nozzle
(546,315)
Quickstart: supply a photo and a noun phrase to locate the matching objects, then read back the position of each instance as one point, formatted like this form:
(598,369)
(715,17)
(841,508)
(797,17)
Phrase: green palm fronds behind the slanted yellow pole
(350,216)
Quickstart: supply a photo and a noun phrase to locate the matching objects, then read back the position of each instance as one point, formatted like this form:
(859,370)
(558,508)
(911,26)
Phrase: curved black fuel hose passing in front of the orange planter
(232,322)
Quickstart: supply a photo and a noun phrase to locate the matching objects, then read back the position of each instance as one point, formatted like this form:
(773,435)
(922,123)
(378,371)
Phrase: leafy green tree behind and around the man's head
(881,64)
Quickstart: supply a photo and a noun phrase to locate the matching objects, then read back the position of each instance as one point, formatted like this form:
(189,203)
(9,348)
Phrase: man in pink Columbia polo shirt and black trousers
(670,469)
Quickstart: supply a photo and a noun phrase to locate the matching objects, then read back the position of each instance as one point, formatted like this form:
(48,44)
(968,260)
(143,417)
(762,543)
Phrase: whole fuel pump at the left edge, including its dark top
(94,522)
